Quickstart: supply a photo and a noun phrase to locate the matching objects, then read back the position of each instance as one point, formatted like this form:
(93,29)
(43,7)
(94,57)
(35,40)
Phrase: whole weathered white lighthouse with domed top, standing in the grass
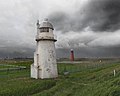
(44,57)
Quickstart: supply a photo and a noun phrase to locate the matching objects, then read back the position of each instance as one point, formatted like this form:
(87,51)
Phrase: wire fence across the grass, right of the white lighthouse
(72,67)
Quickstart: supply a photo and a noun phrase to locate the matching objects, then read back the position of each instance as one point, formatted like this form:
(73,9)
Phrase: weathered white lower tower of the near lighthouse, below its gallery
(44,65)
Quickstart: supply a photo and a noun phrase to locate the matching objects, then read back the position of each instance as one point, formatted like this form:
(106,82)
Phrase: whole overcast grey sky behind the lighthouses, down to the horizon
(90,27)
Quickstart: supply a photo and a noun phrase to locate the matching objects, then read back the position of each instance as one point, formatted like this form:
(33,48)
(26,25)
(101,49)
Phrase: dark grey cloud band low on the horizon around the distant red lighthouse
(90,52)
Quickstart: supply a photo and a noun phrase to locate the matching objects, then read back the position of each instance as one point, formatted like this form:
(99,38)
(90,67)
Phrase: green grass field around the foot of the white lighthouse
(84,79)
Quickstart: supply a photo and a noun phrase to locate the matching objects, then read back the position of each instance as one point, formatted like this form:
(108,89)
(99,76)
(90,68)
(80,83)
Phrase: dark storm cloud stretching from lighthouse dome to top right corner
(99,15)
